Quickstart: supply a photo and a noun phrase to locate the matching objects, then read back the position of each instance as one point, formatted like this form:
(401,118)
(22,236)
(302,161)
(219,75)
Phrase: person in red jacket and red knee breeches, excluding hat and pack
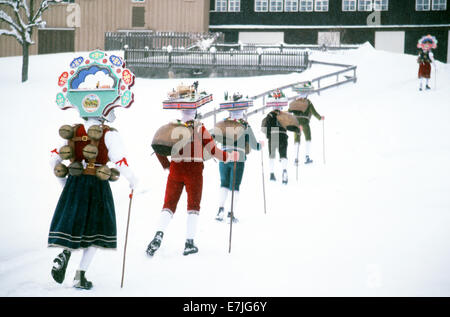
(186,170)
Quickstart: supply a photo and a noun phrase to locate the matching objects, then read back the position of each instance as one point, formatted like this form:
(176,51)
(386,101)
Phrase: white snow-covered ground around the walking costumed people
(372,221)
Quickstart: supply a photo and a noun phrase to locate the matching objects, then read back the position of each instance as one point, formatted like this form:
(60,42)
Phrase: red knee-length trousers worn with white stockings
(189,174)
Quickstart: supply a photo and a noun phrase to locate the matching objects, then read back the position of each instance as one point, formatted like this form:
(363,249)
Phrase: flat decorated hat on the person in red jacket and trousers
(186,97)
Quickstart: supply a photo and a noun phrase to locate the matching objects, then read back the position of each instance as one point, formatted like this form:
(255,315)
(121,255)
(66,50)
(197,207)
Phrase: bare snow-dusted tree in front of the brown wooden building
(22,16)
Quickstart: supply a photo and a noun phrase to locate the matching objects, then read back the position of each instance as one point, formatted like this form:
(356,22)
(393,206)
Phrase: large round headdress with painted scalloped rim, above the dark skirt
(95,85)
